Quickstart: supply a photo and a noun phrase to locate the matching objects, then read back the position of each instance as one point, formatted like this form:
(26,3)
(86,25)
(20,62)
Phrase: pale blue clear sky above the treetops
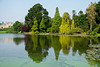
(16,10)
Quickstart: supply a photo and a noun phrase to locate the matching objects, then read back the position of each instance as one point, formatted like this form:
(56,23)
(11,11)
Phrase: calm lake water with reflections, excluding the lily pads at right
(46,51)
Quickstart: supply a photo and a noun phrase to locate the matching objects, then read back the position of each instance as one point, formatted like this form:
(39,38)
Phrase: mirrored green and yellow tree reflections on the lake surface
(38,46)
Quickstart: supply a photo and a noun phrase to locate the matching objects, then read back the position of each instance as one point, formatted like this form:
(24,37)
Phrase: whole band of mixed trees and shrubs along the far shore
(37,21)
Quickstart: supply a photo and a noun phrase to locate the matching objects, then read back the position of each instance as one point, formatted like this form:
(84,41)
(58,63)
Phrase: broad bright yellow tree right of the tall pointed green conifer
(65,25)
